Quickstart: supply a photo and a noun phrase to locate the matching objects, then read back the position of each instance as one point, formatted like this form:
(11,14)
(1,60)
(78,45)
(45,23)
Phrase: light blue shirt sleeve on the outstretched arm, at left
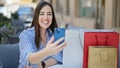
(26,47)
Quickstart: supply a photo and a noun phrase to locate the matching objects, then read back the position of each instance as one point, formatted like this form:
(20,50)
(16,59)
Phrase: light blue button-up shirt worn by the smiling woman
(27,45)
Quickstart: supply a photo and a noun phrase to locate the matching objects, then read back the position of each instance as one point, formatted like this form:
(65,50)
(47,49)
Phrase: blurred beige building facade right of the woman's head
(100,14)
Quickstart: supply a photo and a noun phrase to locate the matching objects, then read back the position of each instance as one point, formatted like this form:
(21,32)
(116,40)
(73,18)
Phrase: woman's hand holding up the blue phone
(54,47)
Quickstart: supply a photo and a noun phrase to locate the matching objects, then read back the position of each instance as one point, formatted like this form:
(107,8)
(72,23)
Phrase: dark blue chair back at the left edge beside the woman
(9,55)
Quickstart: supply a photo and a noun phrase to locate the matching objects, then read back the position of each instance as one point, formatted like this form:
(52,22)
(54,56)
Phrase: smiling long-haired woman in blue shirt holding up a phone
(37,46)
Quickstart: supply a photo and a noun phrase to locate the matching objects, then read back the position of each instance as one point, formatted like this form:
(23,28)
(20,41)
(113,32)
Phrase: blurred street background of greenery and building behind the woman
(16,15)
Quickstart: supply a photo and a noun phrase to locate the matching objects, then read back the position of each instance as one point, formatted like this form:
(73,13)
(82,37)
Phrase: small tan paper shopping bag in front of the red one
(102,57)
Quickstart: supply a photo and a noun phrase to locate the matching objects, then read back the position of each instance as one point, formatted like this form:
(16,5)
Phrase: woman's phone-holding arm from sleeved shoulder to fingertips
(28,55)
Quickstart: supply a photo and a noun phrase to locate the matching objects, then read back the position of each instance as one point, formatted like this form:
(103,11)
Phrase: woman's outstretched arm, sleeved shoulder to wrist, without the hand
(27,51)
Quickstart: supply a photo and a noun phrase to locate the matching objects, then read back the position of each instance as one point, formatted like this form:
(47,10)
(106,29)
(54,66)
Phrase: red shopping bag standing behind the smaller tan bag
(90,40)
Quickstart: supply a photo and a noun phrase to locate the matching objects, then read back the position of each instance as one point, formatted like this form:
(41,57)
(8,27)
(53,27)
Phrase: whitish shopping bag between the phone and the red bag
(73,52)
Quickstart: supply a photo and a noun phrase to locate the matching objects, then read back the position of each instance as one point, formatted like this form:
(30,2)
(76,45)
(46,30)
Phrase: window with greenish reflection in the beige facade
(85,8)
